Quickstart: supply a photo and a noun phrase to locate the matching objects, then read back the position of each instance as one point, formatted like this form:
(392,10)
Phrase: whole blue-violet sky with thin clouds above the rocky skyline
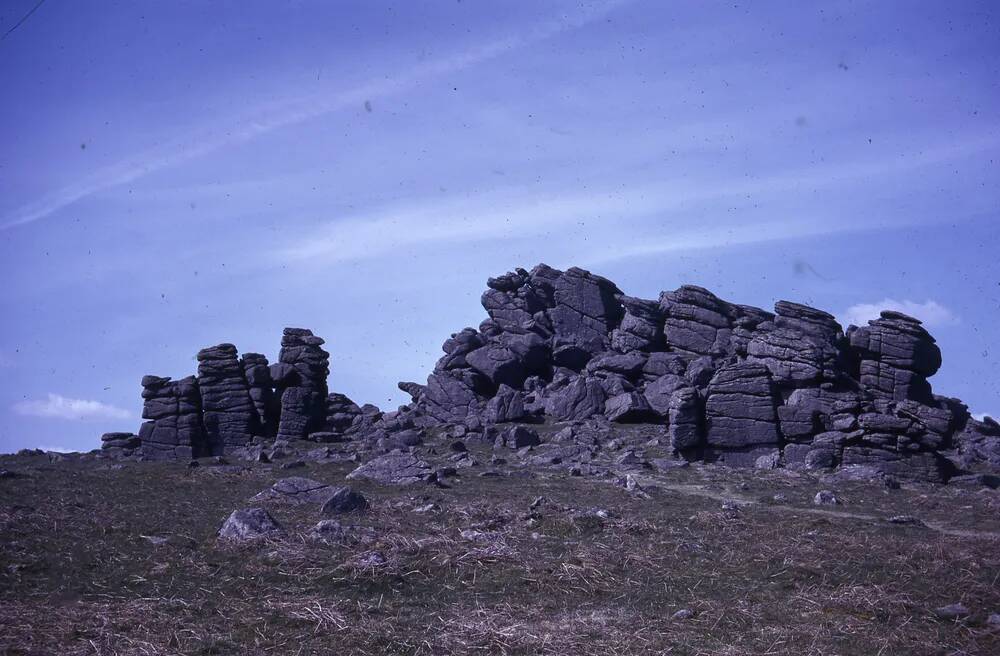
(175,175)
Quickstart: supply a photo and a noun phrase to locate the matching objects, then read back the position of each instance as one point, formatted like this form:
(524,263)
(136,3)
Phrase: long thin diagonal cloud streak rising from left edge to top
(267,118)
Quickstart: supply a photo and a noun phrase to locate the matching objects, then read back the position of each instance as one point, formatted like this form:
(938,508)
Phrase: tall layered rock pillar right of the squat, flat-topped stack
(228,412)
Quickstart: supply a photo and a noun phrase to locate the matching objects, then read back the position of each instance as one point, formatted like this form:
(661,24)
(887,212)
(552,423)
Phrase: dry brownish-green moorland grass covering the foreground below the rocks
(85,569)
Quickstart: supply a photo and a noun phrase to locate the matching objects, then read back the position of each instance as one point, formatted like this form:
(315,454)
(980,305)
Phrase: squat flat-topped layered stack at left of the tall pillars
(174,426)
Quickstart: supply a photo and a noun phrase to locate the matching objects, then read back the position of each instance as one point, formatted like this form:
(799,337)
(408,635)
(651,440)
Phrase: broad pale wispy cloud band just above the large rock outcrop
(528,212)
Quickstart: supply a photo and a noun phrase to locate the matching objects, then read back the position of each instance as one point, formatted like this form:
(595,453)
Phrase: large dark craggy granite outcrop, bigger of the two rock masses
(729,382)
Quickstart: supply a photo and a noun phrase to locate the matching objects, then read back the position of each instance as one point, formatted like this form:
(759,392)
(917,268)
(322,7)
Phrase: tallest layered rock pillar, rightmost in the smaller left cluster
(302,373)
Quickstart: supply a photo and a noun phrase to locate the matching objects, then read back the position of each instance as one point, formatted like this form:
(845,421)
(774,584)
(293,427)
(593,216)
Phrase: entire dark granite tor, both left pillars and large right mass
(715,380)
